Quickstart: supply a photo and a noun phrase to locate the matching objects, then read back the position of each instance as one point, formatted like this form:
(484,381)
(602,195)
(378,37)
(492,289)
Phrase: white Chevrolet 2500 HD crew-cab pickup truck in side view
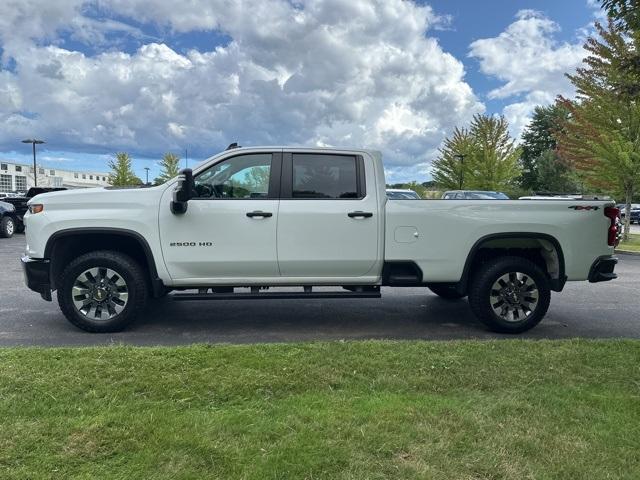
(304,218)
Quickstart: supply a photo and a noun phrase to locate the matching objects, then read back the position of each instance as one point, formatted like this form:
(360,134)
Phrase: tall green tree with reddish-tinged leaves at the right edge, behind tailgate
(602,135)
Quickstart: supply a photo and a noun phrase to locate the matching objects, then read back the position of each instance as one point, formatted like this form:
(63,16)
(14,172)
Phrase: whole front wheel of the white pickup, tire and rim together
(102,291)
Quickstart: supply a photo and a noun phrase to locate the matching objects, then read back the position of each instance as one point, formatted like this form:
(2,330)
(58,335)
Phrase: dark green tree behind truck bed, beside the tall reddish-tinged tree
(542,168)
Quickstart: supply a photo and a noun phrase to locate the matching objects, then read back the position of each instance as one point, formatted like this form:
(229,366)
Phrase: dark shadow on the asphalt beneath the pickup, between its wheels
(400,317)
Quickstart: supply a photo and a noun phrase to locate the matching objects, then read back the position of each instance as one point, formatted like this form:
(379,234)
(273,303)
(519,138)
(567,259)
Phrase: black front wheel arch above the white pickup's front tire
(70,243)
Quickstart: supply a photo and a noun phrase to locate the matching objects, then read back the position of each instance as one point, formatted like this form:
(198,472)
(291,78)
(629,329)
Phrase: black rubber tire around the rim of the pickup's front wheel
(128,270)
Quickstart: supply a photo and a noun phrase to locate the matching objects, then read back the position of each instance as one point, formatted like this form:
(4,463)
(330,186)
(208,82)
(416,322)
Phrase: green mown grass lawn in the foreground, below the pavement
(355,410)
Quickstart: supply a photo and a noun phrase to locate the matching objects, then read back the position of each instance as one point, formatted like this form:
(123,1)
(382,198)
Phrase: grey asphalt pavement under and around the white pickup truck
(610,309)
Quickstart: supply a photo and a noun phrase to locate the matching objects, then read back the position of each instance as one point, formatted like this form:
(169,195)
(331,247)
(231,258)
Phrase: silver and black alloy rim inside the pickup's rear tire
(514,296)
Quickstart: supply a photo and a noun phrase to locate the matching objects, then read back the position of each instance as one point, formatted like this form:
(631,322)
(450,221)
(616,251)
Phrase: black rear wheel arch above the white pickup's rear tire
(547,245)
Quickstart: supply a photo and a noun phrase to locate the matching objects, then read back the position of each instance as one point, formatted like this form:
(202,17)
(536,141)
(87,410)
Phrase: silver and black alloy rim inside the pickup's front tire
(100,293)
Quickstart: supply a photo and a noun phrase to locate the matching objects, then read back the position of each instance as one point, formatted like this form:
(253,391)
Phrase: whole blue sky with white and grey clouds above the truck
(149,76)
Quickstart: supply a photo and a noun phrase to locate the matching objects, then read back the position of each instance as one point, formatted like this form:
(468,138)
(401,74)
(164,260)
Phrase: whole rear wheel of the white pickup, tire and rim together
(483,297)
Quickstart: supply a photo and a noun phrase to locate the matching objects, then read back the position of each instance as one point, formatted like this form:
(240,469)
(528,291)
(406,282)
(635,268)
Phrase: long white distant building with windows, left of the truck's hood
(19,177)
